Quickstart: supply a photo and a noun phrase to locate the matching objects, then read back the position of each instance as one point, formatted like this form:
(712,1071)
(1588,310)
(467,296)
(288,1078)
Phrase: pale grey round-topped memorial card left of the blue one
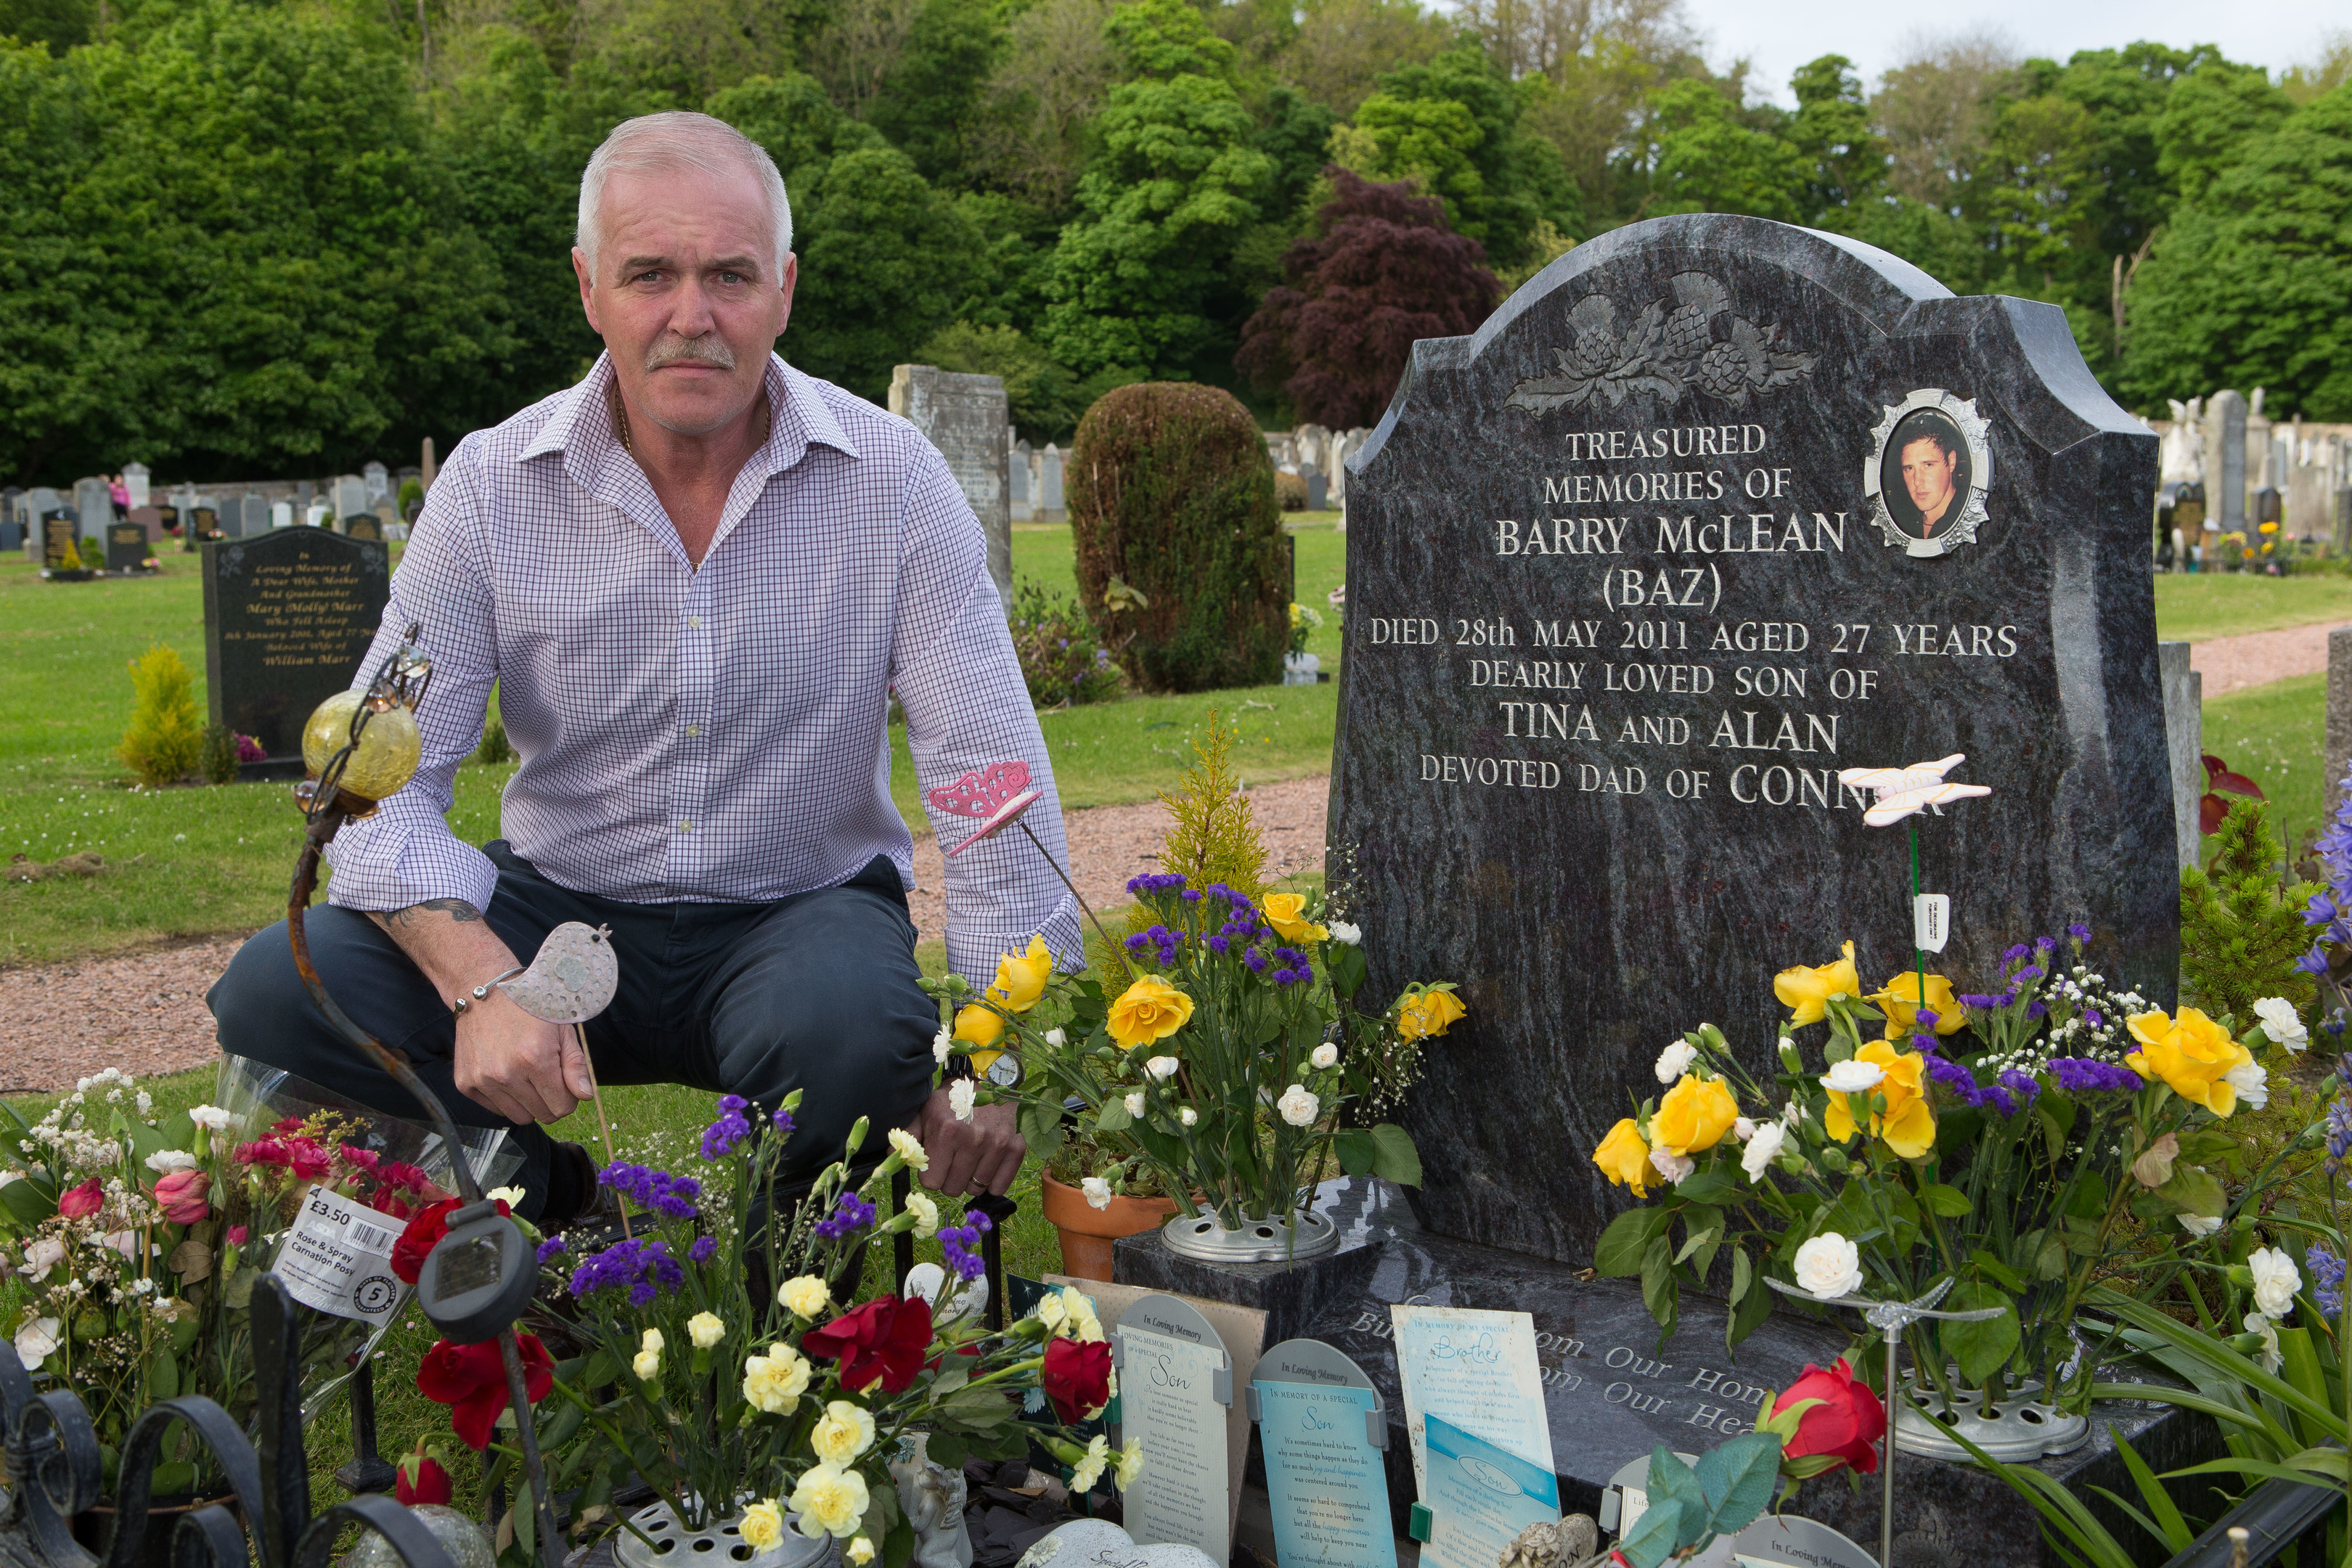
(1168,1398)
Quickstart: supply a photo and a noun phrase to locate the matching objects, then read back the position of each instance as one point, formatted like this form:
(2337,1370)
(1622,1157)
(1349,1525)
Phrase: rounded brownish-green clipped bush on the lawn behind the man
(1172,497)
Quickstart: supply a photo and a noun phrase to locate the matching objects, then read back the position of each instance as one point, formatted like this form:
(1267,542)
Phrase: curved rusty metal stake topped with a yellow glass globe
(363,746)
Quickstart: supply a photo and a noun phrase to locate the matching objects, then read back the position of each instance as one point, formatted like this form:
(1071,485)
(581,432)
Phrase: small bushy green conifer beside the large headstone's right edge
(2240,930)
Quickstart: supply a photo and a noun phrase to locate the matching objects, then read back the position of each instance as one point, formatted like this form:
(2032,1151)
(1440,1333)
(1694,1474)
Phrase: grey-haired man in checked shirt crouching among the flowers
(697,579)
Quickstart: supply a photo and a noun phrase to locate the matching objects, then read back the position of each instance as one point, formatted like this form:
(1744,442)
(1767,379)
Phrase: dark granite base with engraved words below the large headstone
(1612,1391)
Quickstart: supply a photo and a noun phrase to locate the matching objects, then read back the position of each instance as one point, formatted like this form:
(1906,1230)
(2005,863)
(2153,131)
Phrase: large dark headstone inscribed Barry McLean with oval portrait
(1699,518)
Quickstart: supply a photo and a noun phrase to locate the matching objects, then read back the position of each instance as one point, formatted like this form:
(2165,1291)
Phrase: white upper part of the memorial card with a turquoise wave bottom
(1481,1374)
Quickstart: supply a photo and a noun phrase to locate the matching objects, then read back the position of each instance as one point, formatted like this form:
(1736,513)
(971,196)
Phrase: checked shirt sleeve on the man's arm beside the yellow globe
(406,852)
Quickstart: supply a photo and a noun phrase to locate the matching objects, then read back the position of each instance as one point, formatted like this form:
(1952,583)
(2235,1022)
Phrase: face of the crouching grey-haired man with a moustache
(686,295)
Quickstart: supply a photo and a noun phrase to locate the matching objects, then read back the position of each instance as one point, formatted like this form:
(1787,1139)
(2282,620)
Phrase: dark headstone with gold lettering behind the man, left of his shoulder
(288,619)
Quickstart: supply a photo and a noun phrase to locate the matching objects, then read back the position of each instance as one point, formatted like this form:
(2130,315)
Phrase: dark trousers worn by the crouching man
(813,993)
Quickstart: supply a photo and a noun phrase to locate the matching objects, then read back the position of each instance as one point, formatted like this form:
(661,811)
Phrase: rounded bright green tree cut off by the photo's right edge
(2250,283)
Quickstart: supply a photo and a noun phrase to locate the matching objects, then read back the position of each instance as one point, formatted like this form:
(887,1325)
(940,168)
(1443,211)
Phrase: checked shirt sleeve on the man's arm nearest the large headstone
(968,706)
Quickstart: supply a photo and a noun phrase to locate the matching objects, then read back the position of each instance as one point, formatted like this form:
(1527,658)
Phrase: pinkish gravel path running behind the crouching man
(145,1012)
